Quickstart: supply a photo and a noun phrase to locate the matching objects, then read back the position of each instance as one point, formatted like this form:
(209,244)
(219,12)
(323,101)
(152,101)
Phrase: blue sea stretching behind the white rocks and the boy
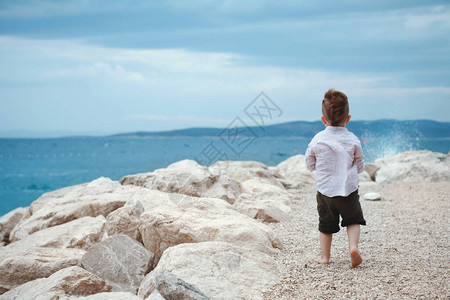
(31,167)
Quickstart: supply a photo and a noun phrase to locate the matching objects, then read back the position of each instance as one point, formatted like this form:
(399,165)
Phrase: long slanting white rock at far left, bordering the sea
(99,197)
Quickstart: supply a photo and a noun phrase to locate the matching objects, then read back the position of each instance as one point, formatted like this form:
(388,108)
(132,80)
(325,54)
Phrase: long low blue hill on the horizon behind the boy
(412,128)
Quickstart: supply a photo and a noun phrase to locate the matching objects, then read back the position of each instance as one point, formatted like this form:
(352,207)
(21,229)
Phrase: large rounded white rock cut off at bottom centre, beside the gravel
(220,270)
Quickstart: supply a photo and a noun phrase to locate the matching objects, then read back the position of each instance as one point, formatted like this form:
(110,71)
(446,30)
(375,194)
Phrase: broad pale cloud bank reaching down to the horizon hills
(71,85)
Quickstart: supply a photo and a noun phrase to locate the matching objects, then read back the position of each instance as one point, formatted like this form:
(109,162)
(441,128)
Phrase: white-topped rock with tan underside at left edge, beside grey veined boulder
(20,267)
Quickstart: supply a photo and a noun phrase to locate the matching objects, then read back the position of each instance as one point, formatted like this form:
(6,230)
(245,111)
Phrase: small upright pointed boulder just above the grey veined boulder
(125,220)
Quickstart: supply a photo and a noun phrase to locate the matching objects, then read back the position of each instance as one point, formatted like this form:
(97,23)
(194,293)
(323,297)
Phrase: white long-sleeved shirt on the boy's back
(336,155)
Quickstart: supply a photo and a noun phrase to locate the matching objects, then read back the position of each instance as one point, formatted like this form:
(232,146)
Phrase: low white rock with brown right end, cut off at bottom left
(71,281)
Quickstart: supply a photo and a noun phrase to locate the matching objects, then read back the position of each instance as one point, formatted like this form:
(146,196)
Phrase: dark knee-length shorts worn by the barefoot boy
(330,208)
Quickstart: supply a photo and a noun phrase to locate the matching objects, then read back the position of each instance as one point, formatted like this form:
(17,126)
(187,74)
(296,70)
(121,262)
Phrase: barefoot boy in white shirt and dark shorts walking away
(336,155)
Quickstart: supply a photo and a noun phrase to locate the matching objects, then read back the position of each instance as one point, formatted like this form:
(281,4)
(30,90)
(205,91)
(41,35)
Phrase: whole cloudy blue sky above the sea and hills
(103,67)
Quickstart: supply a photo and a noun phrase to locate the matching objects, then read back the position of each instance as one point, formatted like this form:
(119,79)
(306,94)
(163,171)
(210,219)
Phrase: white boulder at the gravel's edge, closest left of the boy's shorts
(261,200)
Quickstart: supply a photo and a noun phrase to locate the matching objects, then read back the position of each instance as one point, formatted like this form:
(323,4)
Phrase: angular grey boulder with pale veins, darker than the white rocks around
(119,260)
